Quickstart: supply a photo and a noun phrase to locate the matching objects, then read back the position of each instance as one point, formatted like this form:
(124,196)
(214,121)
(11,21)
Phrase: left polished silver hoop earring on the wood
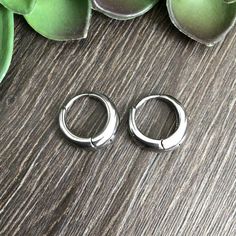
(106,136)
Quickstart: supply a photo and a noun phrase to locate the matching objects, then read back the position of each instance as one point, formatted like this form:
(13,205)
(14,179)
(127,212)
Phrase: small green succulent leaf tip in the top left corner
(19,6)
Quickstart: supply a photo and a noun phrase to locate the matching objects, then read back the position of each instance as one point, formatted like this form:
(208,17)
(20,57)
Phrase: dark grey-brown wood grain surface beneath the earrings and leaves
(51,187)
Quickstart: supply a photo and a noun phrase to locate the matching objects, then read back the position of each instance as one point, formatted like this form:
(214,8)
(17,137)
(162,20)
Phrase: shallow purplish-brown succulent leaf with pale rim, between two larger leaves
(123,9)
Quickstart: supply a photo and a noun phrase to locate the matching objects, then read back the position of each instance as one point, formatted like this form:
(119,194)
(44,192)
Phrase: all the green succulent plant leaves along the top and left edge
(206,21)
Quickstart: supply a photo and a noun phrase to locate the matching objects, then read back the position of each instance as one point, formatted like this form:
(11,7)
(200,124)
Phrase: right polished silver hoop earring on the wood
(162,145)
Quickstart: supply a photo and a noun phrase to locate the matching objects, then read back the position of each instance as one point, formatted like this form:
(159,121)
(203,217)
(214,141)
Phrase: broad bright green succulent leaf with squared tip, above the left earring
(61,19)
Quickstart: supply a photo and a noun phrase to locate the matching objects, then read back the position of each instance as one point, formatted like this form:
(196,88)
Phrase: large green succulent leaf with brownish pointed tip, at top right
(206,21)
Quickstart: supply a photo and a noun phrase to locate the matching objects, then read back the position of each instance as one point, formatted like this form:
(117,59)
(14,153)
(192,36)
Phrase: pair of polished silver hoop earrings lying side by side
(107,135)
